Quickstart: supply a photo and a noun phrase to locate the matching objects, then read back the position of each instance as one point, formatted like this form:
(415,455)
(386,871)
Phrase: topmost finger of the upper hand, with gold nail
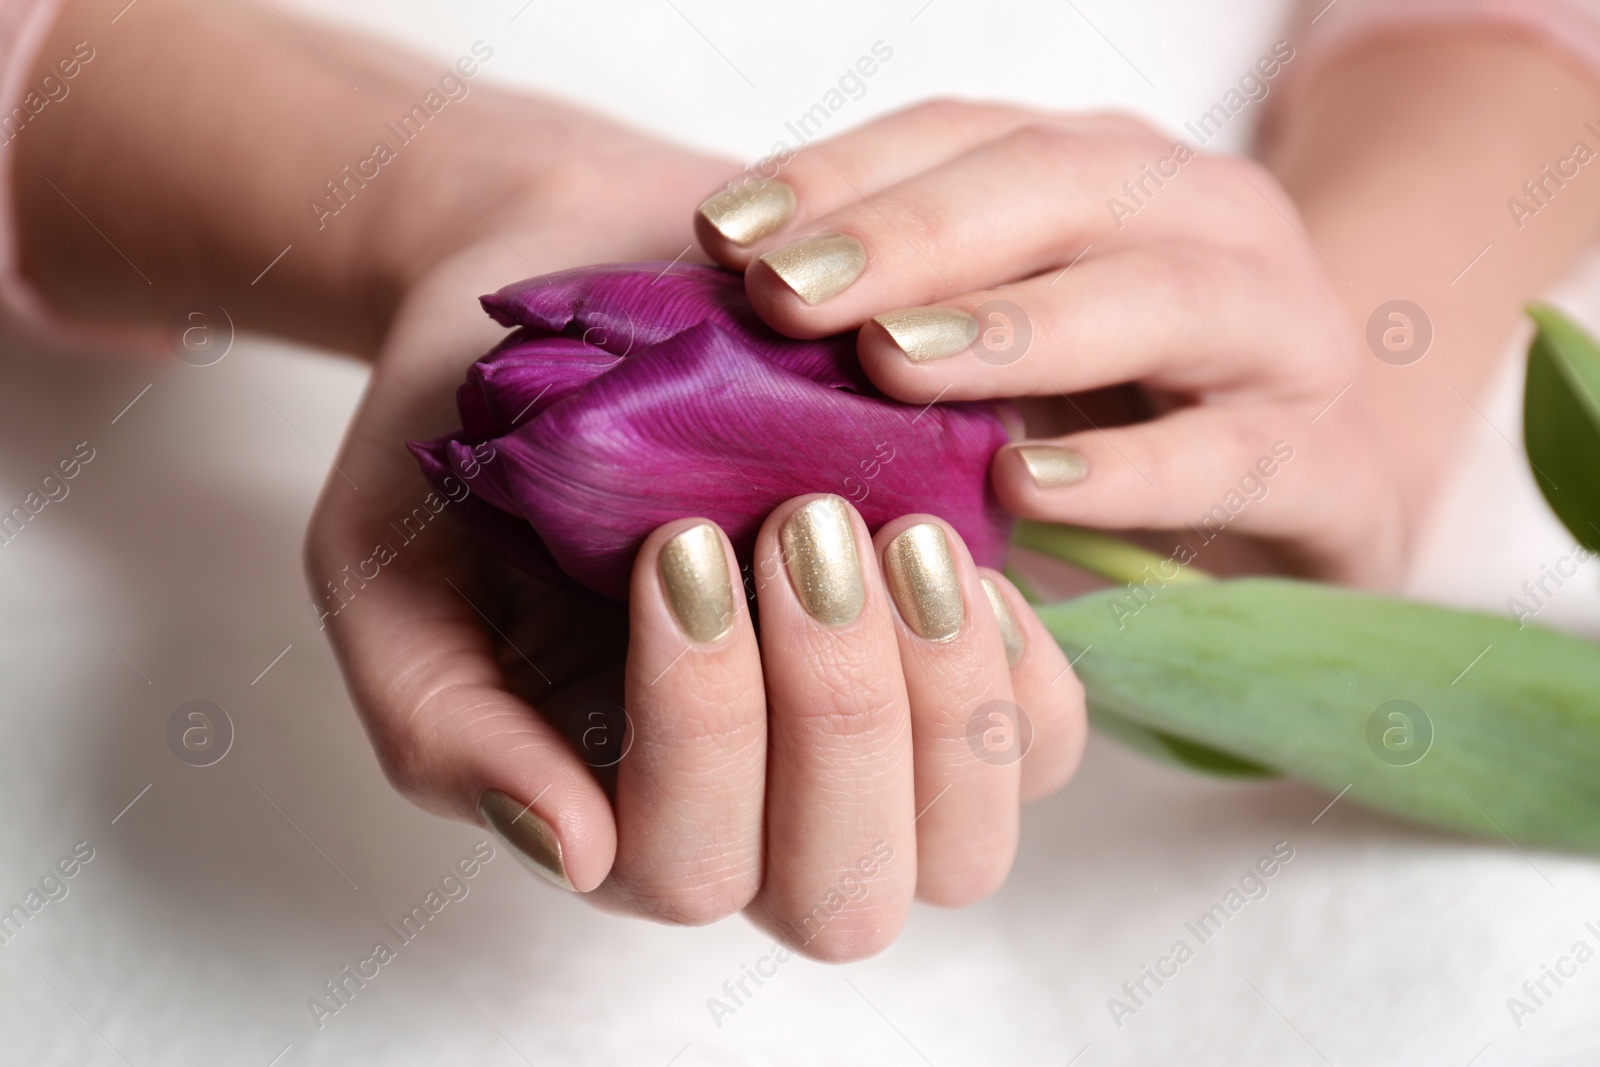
(790,190)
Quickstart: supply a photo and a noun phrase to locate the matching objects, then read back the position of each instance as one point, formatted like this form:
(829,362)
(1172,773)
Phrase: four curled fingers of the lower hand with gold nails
(871,749)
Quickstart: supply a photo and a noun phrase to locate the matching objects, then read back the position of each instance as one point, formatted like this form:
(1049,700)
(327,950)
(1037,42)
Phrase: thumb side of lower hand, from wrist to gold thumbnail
(426,671)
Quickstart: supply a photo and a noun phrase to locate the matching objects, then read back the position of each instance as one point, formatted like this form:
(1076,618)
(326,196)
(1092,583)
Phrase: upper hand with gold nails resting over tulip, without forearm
(991,252)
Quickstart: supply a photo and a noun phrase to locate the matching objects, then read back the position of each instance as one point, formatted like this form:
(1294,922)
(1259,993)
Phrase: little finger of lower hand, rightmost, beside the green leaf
(1050,737)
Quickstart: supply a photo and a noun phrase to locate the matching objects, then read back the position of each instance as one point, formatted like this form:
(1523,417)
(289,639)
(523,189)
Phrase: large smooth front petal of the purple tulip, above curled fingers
(705,430)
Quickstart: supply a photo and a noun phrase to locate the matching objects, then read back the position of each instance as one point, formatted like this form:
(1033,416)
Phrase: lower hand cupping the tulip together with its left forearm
(759,777)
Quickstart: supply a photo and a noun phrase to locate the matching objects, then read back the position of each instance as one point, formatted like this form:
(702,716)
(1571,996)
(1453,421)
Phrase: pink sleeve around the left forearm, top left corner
(25,316)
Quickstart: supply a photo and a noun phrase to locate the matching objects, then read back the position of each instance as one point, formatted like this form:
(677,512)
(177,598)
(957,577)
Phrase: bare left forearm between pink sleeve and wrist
(194,148)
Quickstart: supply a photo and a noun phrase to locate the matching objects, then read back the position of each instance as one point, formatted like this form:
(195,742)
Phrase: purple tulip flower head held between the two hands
(636,394)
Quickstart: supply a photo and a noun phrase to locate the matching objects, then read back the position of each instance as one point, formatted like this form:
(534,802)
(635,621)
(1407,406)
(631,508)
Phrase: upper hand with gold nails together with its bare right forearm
(1236,303)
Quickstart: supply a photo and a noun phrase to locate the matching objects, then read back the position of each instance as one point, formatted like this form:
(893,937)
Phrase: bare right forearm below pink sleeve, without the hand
(1402,161)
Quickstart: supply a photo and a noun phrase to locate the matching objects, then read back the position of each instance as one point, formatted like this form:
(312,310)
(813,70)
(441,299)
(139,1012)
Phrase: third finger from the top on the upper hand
(1180,318)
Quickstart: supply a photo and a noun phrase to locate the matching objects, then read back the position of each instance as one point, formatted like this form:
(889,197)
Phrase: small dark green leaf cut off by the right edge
(1562,422)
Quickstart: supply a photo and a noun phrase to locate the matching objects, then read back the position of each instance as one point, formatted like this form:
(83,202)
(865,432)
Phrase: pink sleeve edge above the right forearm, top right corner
(1327,28)
